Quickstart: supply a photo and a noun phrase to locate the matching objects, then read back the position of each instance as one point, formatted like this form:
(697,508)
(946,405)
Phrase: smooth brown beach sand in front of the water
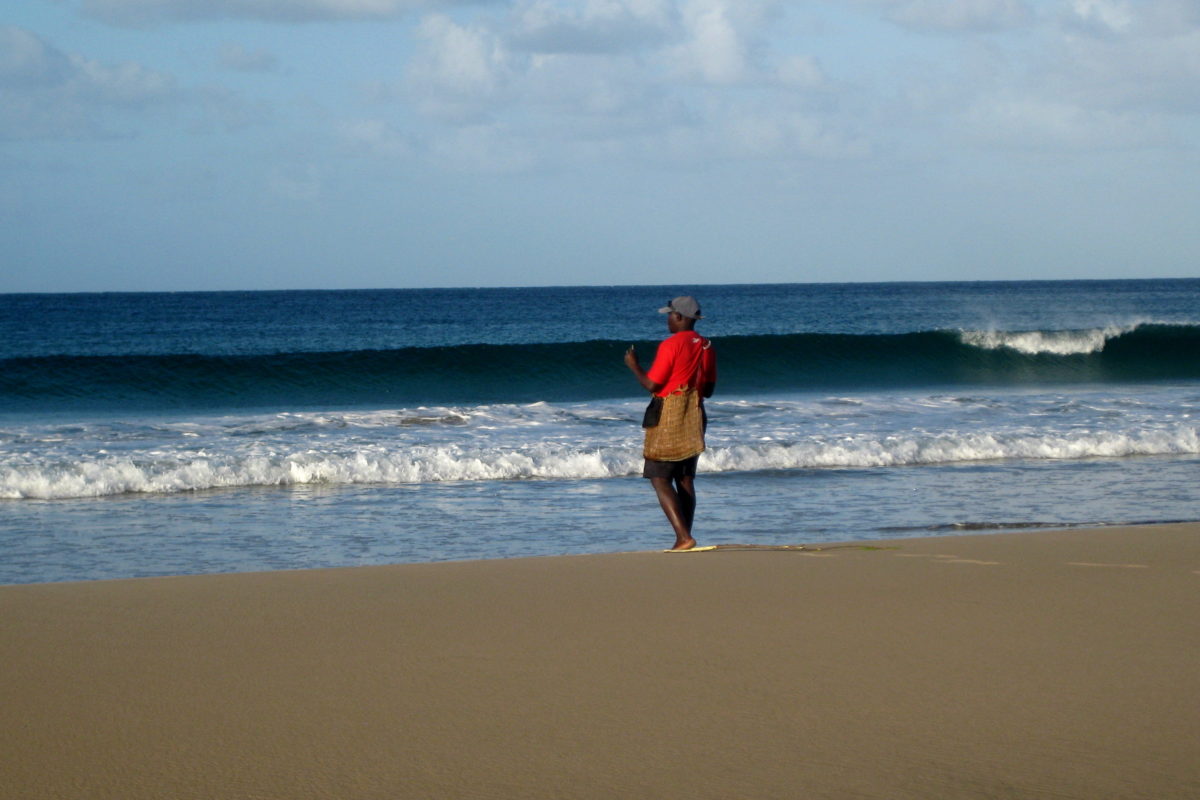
(1048,665)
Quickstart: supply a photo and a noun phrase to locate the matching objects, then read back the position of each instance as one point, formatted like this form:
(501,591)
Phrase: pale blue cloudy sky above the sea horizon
(310,145)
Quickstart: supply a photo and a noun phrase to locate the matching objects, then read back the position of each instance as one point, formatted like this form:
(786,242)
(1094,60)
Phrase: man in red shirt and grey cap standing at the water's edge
(683,375)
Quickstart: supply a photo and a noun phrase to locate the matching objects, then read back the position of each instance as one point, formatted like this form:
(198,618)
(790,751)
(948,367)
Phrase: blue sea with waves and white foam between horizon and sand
(151,434)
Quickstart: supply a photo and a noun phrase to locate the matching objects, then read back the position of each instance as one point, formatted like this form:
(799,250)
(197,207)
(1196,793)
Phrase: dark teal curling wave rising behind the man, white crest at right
(578,371)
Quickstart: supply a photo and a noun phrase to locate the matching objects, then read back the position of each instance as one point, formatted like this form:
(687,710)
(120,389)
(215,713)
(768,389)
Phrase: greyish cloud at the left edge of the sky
(52,94)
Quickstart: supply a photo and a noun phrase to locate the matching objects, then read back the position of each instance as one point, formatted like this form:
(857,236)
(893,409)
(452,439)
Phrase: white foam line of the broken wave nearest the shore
(430,464)
